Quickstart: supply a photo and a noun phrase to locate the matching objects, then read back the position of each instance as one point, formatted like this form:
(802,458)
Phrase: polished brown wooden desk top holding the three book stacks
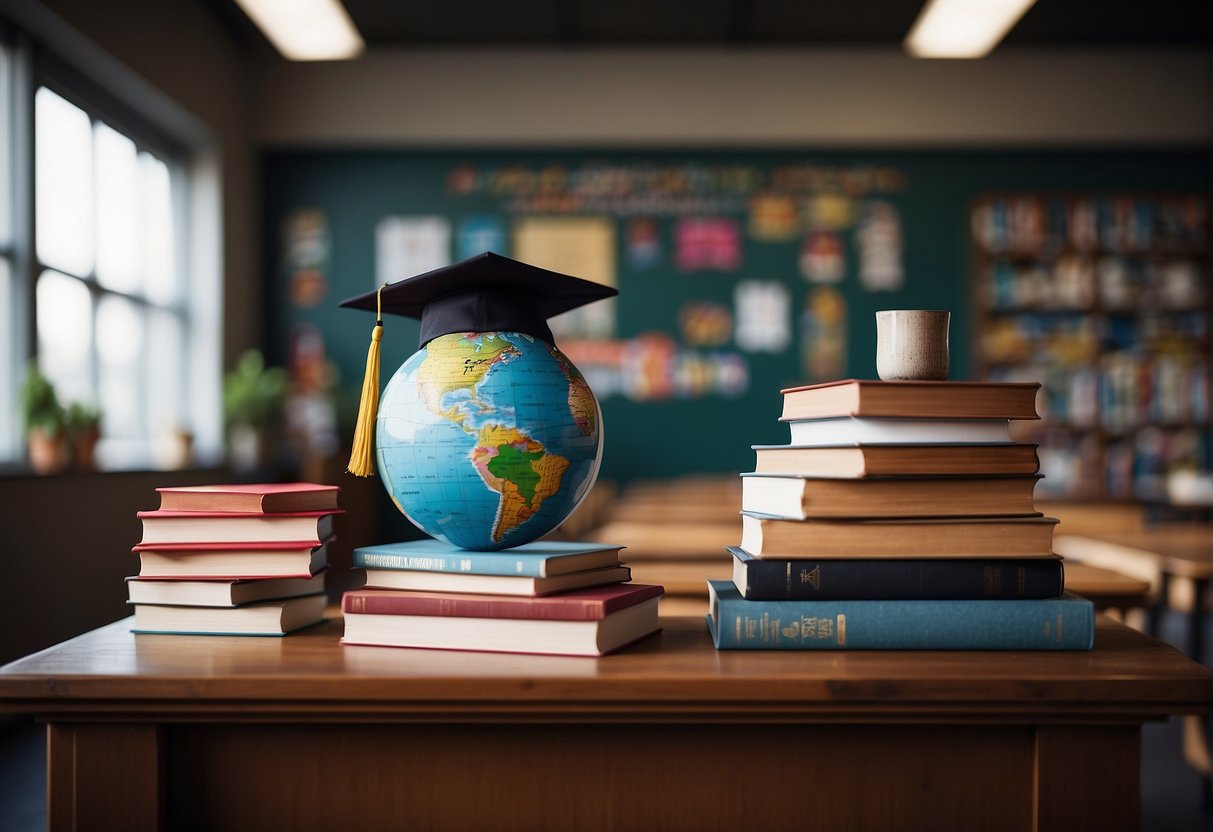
(674,676)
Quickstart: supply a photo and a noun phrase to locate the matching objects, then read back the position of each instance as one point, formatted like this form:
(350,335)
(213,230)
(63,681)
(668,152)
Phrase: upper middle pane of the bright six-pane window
(118,265)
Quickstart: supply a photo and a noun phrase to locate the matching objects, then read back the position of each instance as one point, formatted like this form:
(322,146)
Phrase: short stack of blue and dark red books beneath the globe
(549,597)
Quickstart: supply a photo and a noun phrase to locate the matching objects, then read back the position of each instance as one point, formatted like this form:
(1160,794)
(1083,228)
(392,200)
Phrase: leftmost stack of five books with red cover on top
(243,560)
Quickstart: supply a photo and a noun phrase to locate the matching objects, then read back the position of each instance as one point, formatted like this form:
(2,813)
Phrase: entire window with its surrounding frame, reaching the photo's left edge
(105,214)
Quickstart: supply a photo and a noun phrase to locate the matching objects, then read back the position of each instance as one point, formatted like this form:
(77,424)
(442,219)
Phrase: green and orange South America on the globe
(519,469)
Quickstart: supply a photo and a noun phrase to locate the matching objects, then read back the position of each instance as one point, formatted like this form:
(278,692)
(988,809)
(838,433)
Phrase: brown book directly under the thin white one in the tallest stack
(855,461)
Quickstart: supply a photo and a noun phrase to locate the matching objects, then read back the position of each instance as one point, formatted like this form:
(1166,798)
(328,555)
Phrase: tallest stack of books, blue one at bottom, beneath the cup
(902,516)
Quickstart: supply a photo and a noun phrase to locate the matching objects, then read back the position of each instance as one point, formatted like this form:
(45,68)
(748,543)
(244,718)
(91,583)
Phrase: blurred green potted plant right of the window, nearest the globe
(254,401)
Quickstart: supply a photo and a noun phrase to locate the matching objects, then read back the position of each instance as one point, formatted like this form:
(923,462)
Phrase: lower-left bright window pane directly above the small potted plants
(65,335)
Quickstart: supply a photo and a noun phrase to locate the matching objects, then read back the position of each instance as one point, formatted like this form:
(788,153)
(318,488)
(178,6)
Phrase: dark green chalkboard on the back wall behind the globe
(685,430)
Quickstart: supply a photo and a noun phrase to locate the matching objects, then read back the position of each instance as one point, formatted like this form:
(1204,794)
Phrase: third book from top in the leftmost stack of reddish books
(232,561)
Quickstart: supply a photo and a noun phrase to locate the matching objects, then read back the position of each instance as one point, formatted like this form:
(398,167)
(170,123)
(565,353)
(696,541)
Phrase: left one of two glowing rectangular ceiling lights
(306,30)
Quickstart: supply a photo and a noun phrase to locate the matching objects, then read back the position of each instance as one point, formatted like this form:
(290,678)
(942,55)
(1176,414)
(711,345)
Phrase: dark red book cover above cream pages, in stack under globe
(590,605)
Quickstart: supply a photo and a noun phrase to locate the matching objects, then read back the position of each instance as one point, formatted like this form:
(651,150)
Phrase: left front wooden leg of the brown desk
(105,777)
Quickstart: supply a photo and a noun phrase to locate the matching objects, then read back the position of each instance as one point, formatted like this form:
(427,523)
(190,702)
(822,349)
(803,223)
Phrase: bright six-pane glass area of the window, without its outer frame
(112,321)
